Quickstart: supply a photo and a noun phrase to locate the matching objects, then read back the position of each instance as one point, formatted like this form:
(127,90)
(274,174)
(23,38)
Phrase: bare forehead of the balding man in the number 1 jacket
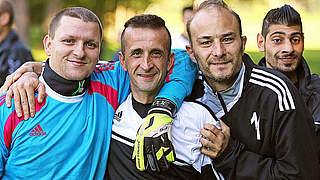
(214,19)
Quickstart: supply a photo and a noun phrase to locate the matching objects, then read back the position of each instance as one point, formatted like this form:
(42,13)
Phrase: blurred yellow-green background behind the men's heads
(33,16)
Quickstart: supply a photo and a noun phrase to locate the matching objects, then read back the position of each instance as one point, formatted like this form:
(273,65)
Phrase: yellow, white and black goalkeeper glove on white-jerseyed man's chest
(153,146)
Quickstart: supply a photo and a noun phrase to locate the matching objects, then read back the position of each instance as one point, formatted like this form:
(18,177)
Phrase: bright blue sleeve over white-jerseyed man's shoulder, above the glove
(180,78)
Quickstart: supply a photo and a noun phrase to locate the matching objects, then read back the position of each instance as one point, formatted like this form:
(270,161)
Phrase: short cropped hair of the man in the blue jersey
(77,12)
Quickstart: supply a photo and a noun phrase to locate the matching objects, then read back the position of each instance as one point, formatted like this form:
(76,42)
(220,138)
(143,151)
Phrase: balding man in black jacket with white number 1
(271,130)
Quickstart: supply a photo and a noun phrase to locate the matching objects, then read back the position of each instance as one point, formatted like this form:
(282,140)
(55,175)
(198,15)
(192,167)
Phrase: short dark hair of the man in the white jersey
(145,21)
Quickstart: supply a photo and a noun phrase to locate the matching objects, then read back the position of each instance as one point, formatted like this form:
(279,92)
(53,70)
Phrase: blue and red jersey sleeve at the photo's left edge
(5,133)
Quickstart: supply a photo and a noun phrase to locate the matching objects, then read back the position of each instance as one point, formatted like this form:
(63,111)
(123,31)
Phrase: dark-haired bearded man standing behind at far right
(282,40)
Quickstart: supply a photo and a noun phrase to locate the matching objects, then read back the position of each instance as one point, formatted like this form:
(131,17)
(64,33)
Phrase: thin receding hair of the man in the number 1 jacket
(213,3)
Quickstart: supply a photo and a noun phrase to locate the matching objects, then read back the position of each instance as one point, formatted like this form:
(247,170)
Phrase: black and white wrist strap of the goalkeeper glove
(161,105)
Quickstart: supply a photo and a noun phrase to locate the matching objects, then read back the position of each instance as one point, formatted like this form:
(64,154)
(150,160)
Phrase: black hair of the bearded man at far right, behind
(285,15)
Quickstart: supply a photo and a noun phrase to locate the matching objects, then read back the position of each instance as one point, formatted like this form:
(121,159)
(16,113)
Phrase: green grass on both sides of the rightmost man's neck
(312,57)
